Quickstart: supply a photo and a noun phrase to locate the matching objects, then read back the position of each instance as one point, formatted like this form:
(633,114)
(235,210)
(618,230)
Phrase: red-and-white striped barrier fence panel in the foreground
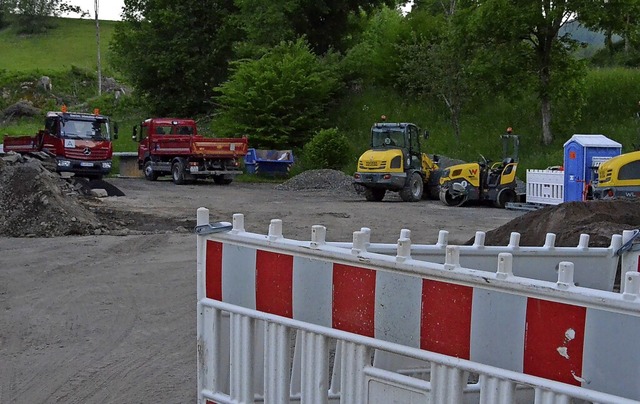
(540,333)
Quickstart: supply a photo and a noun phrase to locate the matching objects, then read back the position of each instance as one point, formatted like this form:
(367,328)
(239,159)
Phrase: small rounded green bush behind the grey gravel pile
(327,149)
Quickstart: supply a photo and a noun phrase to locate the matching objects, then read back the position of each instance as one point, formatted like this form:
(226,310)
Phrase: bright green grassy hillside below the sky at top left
(71,42)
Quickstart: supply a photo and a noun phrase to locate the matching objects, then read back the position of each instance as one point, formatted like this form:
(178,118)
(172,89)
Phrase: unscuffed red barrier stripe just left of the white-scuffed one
(445,324)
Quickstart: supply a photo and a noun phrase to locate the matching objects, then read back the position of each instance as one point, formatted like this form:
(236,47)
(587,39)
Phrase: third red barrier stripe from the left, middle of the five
(354,297)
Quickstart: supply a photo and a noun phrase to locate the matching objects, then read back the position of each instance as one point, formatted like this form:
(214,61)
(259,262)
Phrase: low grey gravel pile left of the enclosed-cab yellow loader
(319,180)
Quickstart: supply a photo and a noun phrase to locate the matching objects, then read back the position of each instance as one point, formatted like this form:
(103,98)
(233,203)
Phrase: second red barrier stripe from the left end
(274,283)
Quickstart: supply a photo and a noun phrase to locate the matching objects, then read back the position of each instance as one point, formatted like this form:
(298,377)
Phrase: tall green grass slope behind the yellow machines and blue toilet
(612,97)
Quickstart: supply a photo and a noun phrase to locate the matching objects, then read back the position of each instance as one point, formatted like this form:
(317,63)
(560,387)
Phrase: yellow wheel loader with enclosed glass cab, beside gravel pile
(395,163)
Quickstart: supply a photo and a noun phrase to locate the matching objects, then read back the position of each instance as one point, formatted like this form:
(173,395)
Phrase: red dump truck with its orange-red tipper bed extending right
(170,146)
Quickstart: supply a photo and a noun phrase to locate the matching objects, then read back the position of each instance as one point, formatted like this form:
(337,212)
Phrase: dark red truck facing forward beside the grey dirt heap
(81,143)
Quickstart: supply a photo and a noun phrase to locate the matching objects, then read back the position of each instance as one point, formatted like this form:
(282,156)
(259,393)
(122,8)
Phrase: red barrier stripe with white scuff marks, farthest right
(554,340)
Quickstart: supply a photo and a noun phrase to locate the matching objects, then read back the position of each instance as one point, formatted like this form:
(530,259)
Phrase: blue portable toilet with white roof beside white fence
(582,156)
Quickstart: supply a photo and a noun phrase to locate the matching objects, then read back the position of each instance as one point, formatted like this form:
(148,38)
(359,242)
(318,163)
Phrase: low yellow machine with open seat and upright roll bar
(482,181)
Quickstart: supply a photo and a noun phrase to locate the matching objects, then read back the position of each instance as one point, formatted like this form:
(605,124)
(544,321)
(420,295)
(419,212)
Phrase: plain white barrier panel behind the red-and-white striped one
(595,267)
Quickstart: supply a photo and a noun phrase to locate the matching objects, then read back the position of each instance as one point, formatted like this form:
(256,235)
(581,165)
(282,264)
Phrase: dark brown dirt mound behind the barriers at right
(599,219)
